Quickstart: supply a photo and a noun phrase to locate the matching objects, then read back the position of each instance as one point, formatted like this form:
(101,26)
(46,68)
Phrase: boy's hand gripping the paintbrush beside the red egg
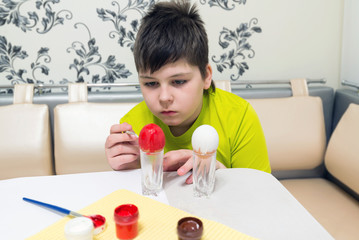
(122,150)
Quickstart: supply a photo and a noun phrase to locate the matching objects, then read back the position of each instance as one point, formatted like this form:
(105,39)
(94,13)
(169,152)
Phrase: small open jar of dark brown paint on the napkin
(190,228)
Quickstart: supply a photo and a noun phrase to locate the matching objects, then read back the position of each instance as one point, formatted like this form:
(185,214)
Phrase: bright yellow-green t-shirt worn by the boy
(241,139)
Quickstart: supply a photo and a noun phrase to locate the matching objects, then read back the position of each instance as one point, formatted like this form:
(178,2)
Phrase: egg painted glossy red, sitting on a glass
(152,138)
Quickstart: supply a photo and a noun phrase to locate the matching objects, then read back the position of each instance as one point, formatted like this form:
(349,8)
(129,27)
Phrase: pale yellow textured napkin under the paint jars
(156,220)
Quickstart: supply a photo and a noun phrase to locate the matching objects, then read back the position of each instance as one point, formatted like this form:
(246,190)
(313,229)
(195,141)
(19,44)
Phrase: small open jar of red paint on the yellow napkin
(126,218)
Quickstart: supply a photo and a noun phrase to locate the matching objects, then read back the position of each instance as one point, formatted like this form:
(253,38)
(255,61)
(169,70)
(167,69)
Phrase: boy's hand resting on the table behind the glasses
(182,162)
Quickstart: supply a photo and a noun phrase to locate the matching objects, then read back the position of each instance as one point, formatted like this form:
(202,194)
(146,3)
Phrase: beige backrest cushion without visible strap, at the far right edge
(342,155)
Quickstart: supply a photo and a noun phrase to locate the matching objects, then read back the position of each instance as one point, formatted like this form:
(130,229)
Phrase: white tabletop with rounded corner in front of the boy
(250,201)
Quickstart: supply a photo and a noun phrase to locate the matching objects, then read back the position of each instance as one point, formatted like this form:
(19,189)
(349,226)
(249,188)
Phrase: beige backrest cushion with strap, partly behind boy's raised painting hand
(80,132)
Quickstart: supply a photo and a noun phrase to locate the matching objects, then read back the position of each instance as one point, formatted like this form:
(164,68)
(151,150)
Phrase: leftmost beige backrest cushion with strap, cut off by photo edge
(25,137)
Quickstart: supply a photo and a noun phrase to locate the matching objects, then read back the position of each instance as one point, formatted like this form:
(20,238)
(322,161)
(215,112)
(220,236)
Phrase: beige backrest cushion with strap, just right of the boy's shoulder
(294,130)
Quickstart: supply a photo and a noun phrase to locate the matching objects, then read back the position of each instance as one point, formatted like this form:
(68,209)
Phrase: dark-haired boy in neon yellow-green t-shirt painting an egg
(171,57)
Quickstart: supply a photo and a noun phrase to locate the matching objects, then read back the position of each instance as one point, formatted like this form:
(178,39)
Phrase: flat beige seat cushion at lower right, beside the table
(336,210)
